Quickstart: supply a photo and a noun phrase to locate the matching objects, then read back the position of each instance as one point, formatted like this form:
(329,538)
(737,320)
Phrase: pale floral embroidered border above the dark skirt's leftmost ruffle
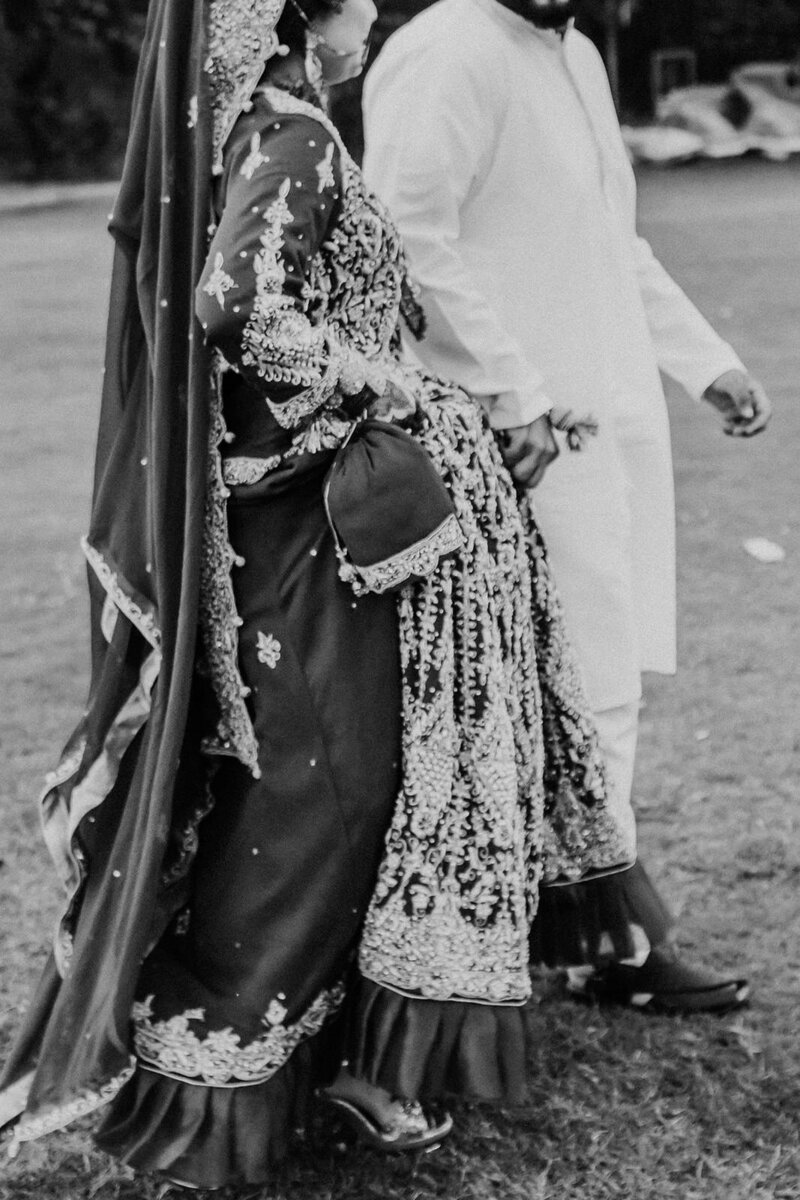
(219,1059)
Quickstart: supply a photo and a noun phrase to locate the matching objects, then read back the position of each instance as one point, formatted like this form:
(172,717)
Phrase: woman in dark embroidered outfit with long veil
(315,833)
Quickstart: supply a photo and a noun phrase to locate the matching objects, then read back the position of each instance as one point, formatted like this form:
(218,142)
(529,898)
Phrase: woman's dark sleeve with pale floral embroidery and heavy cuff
(256,299)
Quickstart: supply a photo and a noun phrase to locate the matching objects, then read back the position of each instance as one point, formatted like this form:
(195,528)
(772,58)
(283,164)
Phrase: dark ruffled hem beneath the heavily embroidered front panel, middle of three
(428,1049)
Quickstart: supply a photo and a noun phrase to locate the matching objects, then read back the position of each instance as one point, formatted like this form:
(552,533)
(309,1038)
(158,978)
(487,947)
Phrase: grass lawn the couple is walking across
(621,1106)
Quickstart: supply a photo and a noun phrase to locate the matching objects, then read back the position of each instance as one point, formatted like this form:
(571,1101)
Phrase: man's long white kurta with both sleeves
(498,152)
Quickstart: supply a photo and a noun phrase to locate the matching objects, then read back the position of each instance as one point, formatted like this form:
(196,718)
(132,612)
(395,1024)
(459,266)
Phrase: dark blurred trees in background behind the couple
(67,68)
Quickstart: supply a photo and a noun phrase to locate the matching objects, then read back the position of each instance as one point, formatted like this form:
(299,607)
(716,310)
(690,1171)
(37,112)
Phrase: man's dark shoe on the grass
(663,985)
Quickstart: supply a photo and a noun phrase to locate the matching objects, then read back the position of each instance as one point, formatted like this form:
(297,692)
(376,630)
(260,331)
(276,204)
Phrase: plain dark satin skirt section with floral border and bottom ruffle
(286,863)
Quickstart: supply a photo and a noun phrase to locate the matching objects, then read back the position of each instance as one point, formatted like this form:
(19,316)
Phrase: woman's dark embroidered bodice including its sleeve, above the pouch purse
(304,284)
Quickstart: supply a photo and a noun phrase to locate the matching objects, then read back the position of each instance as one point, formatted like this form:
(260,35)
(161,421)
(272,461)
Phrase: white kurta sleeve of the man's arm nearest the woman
(425,148)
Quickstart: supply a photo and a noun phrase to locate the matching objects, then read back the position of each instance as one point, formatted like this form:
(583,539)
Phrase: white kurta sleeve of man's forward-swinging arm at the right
(688,349)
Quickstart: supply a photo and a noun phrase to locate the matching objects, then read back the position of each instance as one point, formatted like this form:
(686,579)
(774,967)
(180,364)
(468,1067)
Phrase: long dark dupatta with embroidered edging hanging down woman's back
(121,812)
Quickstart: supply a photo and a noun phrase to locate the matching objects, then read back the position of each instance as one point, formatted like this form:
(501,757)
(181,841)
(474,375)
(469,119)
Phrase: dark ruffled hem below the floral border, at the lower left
(212,1137)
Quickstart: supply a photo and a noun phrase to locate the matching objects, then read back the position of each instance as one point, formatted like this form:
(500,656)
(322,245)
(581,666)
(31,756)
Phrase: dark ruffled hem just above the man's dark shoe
(610,919)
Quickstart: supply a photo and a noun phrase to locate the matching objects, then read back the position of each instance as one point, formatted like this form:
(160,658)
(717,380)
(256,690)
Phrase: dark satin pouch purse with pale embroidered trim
(390,513)
